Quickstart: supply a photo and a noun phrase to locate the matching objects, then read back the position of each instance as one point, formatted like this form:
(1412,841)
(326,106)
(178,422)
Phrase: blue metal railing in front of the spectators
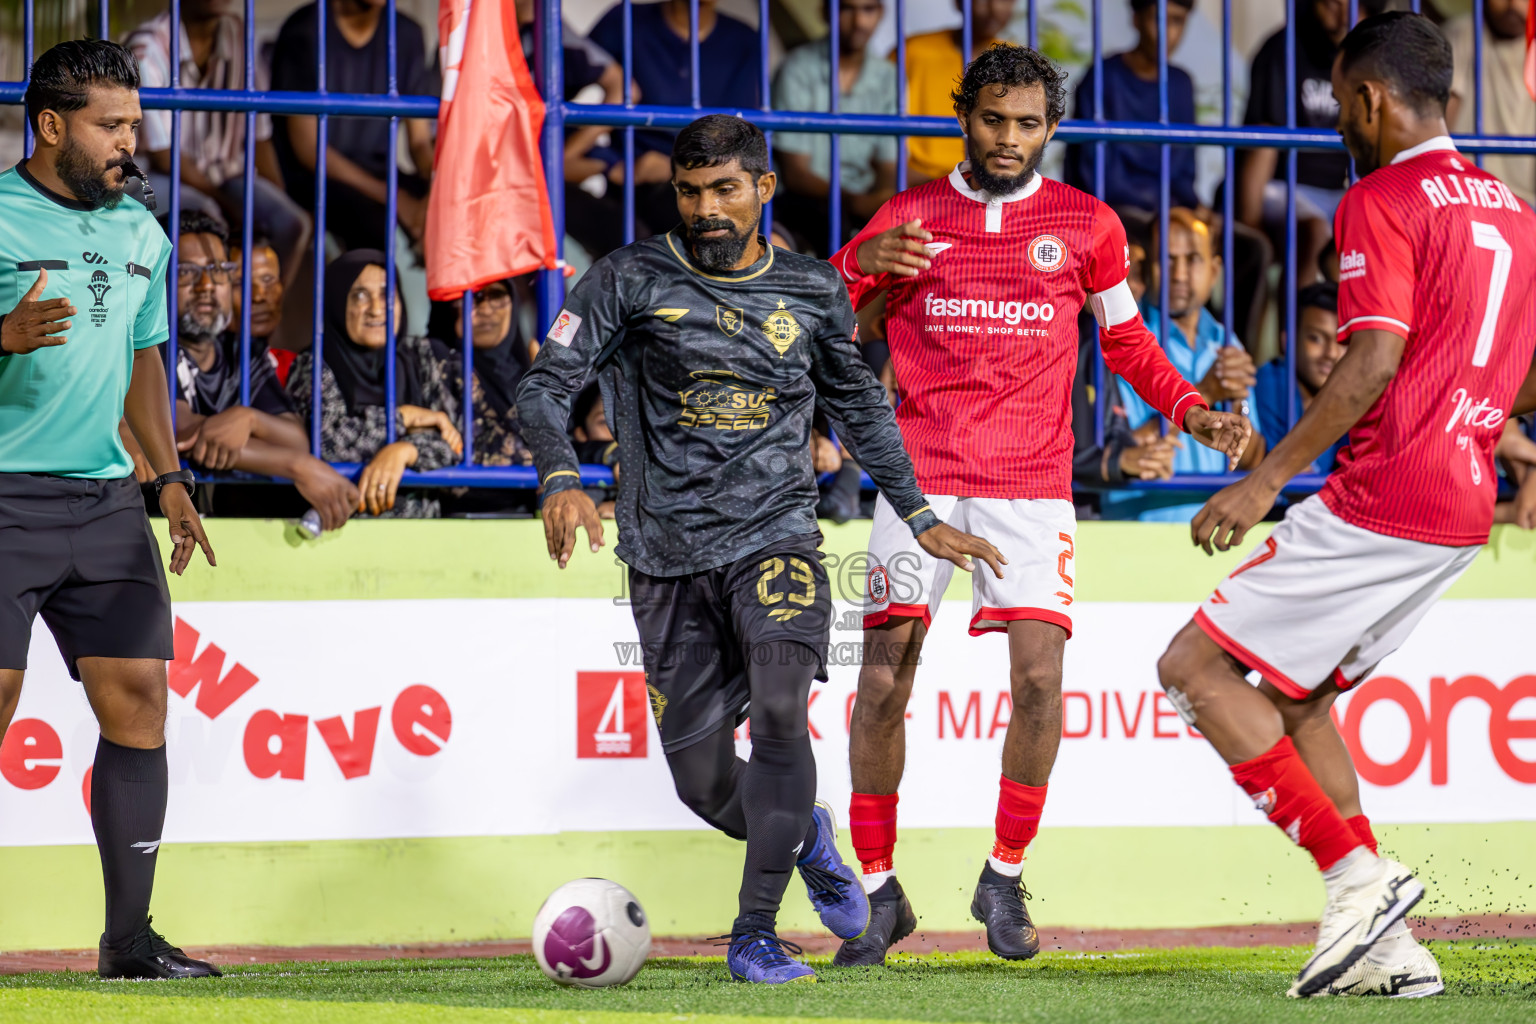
(626,117)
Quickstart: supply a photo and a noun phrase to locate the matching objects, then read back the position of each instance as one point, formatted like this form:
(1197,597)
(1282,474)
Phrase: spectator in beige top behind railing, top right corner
(1508,107)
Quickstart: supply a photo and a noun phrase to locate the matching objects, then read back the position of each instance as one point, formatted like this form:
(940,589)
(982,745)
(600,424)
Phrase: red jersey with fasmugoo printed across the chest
(985,342)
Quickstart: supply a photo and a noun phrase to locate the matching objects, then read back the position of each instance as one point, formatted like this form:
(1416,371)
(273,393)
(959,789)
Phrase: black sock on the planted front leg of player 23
(778,796)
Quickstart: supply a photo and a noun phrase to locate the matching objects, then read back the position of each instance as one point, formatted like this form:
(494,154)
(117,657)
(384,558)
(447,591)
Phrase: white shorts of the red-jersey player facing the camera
(1034,535)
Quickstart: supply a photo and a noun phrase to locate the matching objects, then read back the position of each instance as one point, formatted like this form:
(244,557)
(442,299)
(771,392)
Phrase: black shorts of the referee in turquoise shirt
(81,553)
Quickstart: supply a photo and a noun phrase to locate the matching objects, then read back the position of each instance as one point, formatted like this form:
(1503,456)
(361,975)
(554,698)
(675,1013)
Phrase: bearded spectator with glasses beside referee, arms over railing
(214,431)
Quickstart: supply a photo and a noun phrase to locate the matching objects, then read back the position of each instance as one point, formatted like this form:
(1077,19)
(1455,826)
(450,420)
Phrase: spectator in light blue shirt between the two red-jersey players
(1202,351)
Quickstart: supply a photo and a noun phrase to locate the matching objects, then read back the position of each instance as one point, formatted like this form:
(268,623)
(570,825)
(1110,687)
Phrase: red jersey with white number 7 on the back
(1443,254)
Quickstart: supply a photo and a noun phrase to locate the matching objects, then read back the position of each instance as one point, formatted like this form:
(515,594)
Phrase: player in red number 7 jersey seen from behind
(1438,306)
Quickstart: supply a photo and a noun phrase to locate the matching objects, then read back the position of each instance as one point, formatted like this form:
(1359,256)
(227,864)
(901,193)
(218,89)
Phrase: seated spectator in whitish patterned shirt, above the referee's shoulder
(214,142)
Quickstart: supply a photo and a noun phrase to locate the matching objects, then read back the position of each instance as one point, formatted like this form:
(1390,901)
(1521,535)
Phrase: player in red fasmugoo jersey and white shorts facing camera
(985,274)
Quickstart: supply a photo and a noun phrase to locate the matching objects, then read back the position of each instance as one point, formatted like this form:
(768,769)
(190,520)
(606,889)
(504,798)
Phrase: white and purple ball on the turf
(594,934)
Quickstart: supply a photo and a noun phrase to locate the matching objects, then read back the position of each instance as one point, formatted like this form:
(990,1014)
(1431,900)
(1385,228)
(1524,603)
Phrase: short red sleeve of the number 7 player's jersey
(1375,266)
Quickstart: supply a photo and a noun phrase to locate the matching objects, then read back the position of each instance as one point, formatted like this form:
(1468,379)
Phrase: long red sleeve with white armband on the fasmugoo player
(1131,349)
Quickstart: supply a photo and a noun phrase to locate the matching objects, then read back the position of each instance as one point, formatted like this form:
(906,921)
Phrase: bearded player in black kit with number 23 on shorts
(712,349)
